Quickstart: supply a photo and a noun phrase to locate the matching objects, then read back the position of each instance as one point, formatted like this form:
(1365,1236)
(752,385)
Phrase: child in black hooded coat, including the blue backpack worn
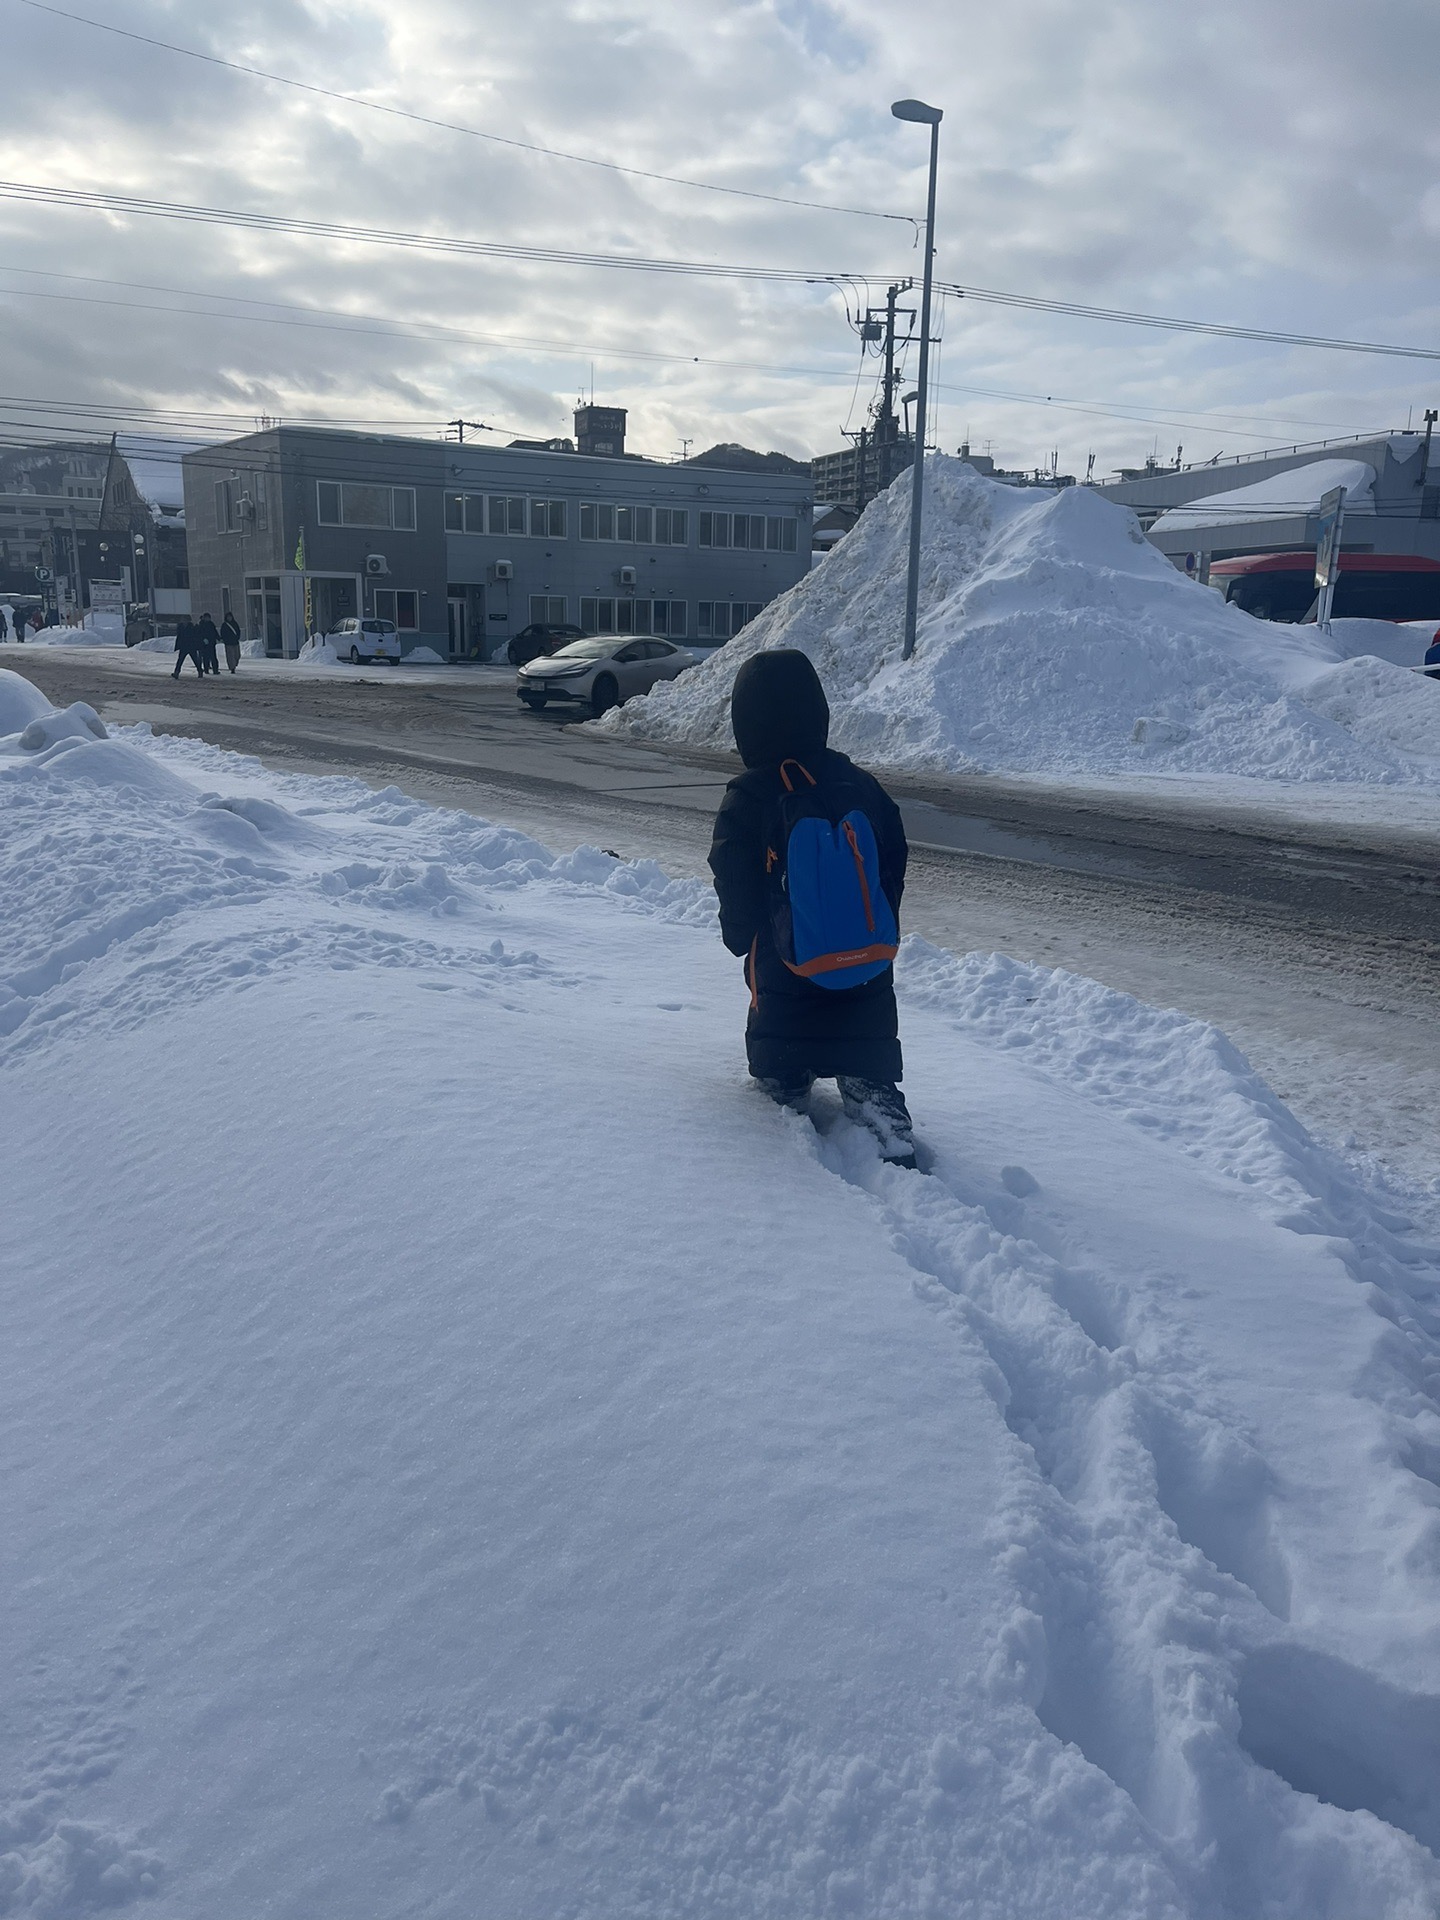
(809,865)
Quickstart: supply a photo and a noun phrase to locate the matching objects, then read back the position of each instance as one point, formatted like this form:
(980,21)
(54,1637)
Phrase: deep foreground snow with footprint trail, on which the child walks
(466,1452)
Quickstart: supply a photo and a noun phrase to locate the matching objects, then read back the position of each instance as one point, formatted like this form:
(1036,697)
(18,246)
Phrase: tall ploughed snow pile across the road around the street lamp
(1053,640)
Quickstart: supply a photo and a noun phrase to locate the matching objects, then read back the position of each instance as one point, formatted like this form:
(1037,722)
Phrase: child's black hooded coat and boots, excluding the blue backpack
(800,1032)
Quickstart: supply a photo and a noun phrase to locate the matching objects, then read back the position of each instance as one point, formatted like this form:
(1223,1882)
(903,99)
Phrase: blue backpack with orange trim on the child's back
(828,911)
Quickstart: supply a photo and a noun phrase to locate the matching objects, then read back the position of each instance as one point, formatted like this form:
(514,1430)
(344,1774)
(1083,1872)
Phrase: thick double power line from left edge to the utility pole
(176,210)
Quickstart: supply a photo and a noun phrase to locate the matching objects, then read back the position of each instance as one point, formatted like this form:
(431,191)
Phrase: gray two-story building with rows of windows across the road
(462,546)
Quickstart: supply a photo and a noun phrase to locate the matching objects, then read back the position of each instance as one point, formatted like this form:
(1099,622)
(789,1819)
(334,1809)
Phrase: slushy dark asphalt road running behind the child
(1316,949)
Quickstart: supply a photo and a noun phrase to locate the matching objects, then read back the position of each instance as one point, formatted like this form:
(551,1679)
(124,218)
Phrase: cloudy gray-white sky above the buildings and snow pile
(1249,162)
